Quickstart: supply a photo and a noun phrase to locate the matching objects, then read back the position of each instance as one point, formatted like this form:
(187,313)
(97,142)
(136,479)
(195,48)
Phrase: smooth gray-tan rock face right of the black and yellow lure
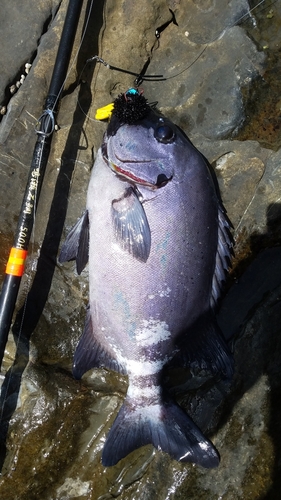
(206,95)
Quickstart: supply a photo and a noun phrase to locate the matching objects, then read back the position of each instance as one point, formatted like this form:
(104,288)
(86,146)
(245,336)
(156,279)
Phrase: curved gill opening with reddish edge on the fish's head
(161,180)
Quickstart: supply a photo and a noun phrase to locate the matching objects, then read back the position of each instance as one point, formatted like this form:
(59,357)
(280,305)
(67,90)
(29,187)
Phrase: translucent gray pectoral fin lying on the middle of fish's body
(131,225)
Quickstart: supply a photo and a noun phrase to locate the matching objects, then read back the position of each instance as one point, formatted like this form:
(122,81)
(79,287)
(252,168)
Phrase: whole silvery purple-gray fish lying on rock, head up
(159,246)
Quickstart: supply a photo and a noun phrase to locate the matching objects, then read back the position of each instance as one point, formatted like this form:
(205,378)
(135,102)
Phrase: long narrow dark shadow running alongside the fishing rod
(28,316)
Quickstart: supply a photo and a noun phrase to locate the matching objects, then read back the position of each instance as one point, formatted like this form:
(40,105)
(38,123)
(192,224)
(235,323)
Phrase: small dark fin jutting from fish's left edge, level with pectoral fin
(76,245)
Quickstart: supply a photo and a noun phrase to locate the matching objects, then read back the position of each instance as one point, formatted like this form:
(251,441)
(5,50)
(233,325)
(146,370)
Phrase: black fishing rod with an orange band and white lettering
(46,125)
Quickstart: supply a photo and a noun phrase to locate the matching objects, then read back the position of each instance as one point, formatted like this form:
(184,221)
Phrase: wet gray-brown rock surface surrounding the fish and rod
(53,427)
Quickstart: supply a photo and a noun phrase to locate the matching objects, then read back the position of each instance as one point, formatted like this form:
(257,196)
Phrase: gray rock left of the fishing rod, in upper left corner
(17,128)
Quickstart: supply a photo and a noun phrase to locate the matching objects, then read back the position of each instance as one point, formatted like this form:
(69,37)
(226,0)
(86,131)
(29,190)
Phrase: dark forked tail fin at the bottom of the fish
(166,426)
